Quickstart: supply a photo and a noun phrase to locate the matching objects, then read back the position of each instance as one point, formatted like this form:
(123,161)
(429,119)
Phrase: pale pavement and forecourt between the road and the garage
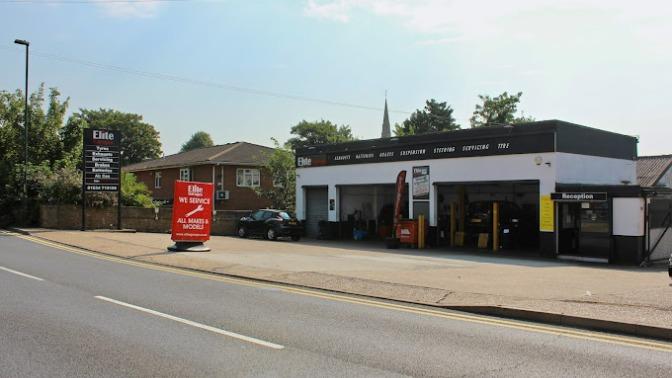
(629,300)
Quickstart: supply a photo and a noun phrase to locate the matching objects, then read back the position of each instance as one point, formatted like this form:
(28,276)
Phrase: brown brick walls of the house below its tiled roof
(239,198)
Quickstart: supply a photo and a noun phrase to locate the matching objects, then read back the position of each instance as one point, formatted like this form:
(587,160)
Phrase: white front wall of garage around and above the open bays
(471,169)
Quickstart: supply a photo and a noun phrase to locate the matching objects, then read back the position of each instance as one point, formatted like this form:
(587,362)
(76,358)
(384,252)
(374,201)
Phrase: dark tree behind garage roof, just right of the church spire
(435,117)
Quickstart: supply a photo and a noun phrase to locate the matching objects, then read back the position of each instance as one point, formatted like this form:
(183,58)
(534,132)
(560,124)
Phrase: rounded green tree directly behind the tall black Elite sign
(139,140)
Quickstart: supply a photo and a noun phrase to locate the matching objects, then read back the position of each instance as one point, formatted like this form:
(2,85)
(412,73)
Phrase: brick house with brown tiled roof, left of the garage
(234,168)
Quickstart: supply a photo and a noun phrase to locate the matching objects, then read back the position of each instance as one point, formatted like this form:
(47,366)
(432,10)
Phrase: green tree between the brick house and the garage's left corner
(280,165)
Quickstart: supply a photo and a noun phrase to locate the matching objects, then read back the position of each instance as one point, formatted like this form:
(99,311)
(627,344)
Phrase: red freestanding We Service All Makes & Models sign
(192,211)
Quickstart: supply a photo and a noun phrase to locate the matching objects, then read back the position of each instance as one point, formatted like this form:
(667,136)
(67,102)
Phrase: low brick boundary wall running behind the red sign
(69,217)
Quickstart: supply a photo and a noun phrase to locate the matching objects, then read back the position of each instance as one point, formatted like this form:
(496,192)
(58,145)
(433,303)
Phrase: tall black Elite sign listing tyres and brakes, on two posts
(101,156)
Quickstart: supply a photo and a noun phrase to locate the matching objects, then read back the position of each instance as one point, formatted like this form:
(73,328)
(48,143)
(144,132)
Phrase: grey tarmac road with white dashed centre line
(66,313)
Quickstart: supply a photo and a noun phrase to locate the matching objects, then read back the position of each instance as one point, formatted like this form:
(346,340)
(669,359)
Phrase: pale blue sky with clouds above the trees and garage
(599,63)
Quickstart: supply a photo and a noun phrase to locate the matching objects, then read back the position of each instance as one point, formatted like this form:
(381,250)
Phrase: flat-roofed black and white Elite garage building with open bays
(550,187)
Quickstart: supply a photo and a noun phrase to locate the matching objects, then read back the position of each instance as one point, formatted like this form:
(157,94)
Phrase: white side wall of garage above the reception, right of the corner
(582,169)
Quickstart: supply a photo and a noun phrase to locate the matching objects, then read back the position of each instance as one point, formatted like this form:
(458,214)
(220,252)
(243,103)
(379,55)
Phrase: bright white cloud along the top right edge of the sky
(447,21)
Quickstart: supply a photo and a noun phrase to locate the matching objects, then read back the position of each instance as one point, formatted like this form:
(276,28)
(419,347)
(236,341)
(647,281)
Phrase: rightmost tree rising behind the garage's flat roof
(498,110)
